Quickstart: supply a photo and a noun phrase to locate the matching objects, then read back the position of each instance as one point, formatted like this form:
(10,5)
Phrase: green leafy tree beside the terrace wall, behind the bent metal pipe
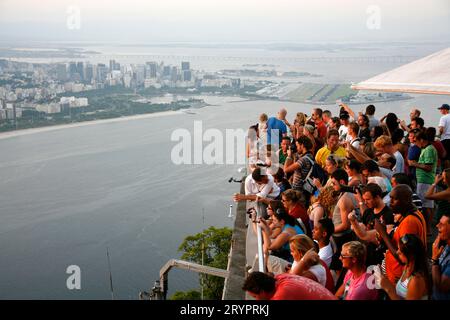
(215,244)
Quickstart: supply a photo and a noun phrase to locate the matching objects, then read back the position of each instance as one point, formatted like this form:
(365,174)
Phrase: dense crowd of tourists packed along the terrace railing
(350,206)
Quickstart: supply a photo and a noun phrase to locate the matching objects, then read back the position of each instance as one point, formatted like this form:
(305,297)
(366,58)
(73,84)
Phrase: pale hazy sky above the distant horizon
(225,20)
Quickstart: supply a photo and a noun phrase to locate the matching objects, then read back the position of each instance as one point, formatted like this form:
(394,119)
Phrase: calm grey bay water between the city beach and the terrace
(69,194)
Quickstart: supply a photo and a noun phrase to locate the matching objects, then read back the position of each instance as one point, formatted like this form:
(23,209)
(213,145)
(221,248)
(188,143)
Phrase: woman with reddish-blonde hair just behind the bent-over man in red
(307,262)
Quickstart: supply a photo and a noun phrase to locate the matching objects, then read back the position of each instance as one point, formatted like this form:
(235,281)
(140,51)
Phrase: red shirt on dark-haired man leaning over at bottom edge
(293,287)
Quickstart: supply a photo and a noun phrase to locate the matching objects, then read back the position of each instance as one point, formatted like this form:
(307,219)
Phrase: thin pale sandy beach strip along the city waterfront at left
(22,132)
